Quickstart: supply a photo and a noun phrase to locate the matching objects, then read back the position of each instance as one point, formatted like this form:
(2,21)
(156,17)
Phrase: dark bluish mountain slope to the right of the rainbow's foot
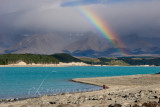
(138,45)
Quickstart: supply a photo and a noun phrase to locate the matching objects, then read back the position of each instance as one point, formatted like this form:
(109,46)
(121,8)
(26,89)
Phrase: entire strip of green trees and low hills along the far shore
(6,59)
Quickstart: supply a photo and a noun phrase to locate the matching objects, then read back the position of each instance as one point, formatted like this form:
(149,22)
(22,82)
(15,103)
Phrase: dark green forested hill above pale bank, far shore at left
(6,59)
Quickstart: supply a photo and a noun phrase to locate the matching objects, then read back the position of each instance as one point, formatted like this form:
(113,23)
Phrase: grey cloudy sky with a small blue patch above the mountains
(124,17)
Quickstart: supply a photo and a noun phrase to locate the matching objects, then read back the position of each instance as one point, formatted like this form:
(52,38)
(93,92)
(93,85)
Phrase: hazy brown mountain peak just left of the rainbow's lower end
(89,42)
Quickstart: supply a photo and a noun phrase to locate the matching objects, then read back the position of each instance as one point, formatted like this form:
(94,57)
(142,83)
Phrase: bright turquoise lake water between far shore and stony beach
(24,82)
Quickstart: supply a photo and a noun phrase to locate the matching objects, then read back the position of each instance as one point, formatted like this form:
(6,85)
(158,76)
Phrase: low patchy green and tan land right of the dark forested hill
(123,61)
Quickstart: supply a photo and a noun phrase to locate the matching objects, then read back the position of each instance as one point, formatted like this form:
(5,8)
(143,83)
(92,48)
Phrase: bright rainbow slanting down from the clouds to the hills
(103,29)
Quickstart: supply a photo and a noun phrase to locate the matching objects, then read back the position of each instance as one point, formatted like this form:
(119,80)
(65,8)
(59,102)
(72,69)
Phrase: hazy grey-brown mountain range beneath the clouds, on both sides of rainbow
(82,44)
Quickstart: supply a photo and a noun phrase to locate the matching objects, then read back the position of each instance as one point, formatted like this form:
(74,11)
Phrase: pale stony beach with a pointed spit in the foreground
(124,90)
